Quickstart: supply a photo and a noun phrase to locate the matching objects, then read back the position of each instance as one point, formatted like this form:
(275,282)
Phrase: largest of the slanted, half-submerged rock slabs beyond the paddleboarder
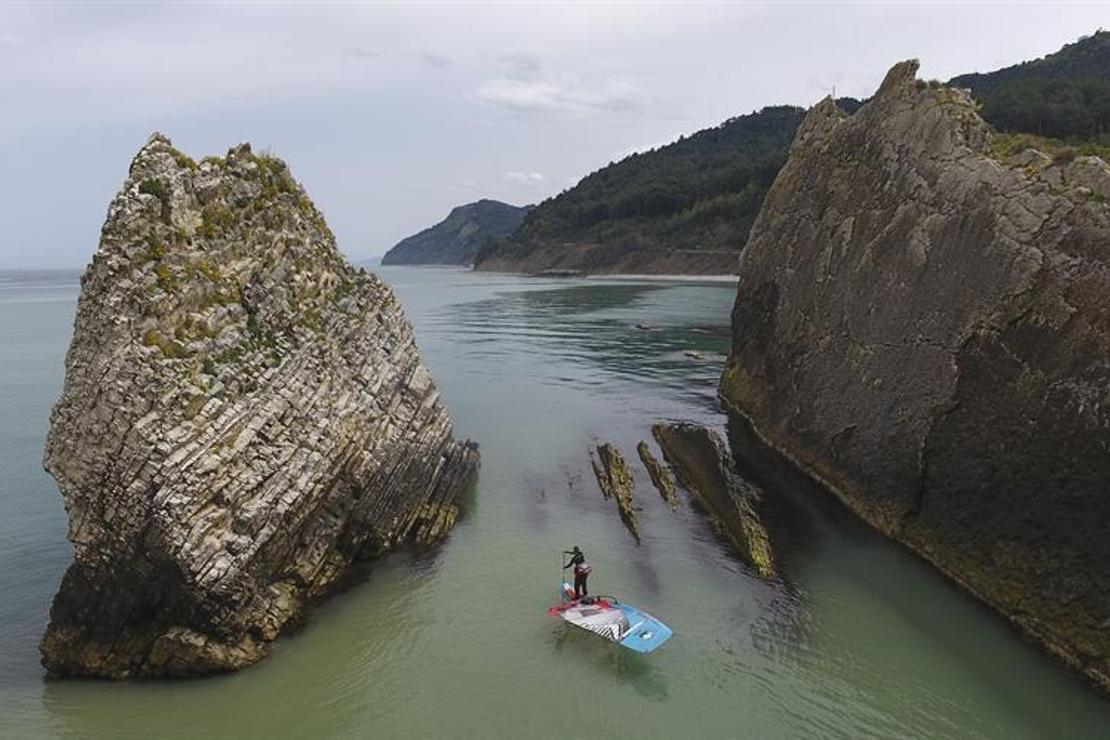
(704,468)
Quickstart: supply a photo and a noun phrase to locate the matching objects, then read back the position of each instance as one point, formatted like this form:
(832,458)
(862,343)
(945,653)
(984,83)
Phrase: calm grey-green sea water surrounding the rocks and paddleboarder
(861,638)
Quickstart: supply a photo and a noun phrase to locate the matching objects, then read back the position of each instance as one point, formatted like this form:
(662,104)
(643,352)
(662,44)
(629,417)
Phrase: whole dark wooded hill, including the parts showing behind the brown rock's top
(689,207)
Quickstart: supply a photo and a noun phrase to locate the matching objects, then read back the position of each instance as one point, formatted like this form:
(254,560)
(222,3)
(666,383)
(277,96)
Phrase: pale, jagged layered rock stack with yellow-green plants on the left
(244,417)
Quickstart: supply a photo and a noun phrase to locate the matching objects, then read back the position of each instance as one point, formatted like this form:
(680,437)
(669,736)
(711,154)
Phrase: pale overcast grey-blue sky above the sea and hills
(393,114)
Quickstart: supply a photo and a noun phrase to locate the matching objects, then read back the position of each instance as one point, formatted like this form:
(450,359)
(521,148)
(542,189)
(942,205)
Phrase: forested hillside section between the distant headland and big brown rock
(699,196)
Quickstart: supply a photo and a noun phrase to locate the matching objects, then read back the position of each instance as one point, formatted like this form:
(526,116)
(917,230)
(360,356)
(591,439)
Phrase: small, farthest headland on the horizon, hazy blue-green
(456,240)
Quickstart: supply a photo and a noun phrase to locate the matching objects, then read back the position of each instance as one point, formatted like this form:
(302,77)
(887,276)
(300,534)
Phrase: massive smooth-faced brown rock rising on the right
(926,330)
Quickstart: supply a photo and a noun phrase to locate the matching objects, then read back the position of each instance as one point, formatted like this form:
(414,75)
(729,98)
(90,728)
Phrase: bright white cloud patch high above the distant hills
(571,96)
